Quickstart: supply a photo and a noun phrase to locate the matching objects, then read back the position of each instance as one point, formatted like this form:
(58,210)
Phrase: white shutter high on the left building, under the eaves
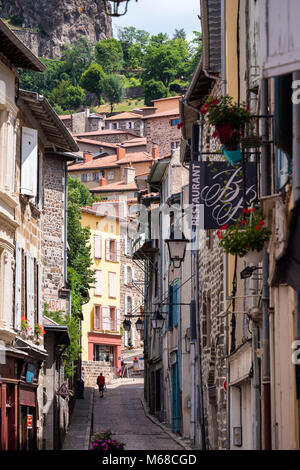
(29,162)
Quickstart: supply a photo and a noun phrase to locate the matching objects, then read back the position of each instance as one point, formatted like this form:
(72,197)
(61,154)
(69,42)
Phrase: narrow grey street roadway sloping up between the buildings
(121,411)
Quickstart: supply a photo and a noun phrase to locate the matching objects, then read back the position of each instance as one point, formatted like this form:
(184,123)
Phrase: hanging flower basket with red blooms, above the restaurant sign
(228,118)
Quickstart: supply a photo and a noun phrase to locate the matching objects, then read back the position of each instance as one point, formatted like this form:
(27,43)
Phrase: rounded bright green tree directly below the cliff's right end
(109,55)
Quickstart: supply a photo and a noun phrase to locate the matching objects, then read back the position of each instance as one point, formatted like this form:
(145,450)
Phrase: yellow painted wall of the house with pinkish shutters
(107,228)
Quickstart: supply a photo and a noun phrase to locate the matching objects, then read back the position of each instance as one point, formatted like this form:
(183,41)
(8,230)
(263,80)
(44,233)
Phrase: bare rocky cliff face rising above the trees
(60,21)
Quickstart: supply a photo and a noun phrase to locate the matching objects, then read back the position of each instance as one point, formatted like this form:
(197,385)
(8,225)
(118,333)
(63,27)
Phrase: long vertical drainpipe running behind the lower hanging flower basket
(265,190)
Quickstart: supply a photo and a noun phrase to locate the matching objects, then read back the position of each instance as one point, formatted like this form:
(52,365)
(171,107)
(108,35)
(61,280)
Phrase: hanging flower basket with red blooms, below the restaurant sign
(248,235)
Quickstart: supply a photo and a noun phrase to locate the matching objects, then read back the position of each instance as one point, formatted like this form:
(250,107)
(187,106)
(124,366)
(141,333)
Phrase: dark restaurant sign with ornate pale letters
(219,187)
